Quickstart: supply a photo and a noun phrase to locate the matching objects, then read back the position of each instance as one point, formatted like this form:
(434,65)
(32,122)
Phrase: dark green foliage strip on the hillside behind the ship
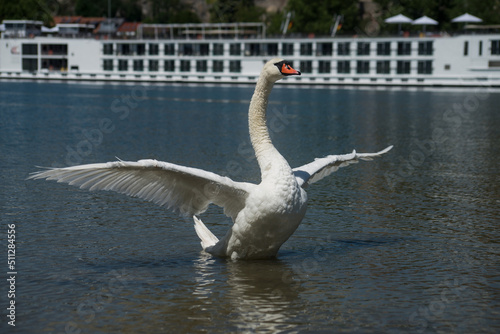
(308,16)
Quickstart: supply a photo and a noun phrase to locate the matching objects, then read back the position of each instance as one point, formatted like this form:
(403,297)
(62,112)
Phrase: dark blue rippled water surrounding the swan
(405,244)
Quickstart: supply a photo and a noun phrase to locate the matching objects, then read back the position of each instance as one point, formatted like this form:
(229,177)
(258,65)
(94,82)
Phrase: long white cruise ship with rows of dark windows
(462,60)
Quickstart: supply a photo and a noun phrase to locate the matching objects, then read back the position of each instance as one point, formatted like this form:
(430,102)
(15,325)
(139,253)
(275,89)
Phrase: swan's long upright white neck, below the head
(267,155)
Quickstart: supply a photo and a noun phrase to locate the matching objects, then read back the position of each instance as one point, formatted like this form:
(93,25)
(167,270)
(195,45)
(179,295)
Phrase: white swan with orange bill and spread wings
(265,215)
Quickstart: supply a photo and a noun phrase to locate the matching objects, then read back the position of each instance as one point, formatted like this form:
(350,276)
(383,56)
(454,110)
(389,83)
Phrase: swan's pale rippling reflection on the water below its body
(259,295)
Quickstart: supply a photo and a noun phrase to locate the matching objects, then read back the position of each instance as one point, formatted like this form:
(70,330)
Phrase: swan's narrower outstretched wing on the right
(323,167)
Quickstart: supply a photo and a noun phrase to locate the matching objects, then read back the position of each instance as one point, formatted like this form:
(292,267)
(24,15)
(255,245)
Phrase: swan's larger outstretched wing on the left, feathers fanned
(184,189)
